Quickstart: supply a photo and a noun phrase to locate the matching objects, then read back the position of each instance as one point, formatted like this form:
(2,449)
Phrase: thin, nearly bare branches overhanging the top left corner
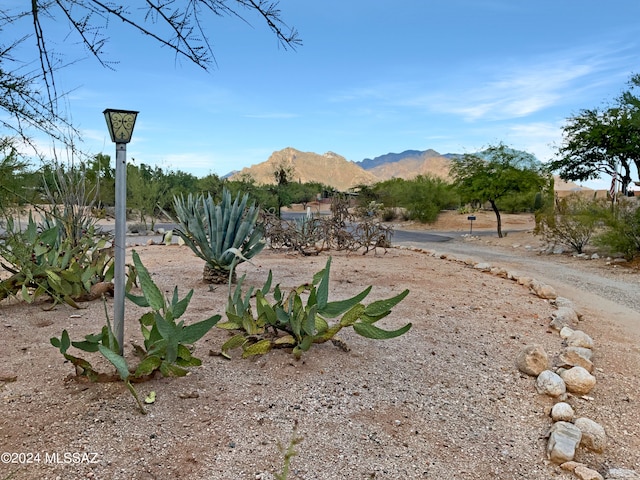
(29,96)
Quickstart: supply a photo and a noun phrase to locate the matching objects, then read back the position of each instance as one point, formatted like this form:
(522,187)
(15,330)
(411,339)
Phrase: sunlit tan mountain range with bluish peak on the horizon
(338,172)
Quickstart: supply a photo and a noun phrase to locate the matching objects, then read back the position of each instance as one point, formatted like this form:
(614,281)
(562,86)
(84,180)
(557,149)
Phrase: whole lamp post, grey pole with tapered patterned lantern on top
(120,124)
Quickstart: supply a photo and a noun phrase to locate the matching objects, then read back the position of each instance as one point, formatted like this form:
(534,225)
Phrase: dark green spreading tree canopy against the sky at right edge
(602,141)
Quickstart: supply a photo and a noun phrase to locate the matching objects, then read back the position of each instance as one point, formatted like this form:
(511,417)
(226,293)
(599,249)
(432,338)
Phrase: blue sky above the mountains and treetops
(371,77)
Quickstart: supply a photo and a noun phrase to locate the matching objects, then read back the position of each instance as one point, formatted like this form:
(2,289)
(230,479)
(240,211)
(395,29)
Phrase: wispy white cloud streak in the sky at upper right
(510,89)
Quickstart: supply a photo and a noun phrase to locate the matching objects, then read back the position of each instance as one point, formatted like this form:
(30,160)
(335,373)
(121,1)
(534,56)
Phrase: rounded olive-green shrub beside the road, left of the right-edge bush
(573,222)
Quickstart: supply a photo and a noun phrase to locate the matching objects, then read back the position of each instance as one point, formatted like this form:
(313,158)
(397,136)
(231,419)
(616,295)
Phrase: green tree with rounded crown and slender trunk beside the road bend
(495,173)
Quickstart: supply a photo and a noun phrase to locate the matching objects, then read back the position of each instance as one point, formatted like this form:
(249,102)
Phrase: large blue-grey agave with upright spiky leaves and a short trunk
(223,234)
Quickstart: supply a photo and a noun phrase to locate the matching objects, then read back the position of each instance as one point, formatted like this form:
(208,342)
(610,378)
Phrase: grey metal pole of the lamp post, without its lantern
(119,243)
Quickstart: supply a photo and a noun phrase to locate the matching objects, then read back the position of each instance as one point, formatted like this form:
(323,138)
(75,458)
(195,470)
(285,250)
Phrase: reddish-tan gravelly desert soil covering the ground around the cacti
(444,401)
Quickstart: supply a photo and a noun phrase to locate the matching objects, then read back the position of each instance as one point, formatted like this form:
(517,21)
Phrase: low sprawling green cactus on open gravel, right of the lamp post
(289,321)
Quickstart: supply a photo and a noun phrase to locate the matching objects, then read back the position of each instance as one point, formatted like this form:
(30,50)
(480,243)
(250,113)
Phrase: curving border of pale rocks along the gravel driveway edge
(571,374)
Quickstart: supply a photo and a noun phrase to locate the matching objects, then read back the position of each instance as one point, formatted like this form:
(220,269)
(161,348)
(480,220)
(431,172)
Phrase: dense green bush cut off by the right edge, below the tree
(622,232)
